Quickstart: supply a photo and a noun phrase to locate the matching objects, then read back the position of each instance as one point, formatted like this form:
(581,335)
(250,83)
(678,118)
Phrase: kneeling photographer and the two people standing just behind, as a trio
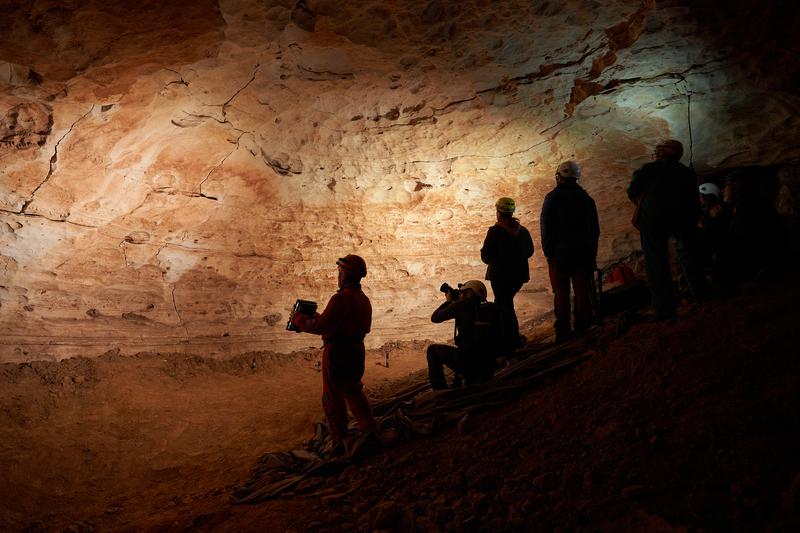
(570,231)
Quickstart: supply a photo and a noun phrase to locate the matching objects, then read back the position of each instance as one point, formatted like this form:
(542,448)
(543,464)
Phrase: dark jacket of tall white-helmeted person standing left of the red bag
(570,228)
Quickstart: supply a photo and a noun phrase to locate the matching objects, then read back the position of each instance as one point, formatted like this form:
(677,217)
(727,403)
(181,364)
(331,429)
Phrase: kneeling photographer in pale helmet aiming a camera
(478,336)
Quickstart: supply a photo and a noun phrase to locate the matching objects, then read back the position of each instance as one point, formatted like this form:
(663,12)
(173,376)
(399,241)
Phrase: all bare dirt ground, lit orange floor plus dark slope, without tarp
(687,425)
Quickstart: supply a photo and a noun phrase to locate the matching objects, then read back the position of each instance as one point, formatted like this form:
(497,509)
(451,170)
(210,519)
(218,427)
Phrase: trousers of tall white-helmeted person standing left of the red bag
(581,278)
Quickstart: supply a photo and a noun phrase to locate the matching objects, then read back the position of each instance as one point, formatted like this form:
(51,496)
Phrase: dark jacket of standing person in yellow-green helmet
(506,250)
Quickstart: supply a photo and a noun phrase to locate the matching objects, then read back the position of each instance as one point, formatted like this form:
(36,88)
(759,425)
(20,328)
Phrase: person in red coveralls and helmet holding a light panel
(343,324)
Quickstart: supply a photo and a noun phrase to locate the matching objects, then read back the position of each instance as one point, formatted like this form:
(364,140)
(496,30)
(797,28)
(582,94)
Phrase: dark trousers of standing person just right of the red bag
(655,245)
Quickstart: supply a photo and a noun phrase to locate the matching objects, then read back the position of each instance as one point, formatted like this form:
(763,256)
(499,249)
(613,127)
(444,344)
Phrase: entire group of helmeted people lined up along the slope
(668,205)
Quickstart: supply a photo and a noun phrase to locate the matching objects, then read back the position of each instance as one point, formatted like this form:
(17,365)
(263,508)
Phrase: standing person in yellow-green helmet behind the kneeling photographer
(506,250)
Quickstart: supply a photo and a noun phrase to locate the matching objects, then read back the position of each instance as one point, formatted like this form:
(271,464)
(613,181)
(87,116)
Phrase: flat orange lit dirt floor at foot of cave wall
(126,442)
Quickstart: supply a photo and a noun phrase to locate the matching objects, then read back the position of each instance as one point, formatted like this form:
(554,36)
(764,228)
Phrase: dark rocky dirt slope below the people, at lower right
(687,425)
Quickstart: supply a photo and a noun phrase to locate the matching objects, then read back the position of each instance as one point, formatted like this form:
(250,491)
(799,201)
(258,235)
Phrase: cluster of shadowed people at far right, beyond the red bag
(734,232)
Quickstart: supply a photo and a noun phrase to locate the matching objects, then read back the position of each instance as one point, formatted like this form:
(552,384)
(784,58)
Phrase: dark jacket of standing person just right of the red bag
(668,193)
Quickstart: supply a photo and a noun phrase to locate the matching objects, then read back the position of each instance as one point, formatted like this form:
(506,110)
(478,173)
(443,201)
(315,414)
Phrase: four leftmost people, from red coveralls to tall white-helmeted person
(483,330)
